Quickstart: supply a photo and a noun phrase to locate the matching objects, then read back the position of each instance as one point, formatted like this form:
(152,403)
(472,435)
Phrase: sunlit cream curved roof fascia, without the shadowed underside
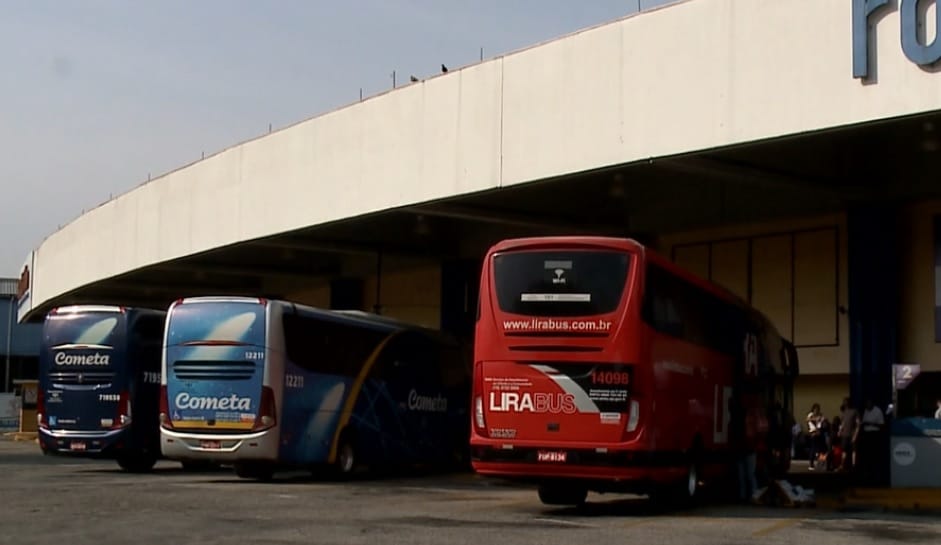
(695,75)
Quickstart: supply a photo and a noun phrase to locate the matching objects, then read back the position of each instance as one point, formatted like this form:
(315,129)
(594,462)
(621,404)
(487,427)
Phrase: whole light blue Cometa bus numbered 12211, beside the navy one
(266,384)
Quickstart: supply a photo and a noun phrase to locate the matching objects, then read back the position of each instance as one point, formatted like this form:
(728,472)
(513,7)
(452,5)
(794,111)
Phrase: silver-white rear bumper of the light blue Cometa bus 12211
(232,447)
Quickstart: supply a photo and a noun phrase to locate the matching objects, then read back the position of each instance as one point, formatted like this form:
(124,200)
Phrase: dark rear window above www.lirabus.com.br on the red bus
(560,283)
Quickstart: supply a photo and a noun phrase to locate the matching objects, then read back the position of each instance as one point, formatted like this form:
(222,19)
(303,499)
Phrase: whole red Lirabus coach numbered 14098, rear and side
(602,366)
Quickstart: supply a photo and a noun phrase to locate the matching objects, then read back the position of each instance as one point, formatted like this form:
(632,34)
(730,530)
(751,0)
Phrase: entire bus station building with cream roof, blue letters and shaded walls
(788,151)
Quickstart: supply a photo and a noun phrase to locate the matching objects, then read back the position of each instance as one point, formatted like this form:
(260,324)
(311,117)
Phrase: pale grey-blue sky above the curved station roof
(97,95)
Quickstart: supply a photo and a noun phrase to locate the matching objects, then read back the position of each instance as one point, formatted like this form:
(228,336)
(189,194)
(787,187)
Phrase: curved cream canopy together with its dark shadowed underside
(689,116)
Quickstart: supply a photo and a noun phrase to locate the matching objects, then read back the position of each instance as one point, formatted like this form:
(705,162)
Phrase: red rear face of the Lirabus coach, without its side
(553,391)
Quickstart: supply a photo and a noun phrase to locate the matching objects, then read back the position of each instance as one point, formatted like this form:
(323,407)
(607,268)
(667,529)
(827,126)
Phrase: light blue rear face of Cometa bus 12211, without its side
(216,402)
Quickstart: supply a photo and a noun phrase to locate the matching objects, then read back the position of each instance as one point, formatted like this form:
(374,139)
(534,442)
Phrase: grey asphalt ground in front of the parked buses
(56,500)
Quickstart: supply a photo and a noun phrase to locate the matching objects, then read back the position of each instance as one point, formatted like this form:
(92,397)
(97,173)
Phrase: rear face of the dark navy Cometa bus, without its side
(85,381)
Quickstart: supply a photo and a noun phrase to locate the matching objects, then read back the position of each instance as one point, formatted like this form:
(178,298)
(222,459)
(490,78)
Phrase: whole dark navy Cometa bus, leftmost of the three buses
(99,378)
